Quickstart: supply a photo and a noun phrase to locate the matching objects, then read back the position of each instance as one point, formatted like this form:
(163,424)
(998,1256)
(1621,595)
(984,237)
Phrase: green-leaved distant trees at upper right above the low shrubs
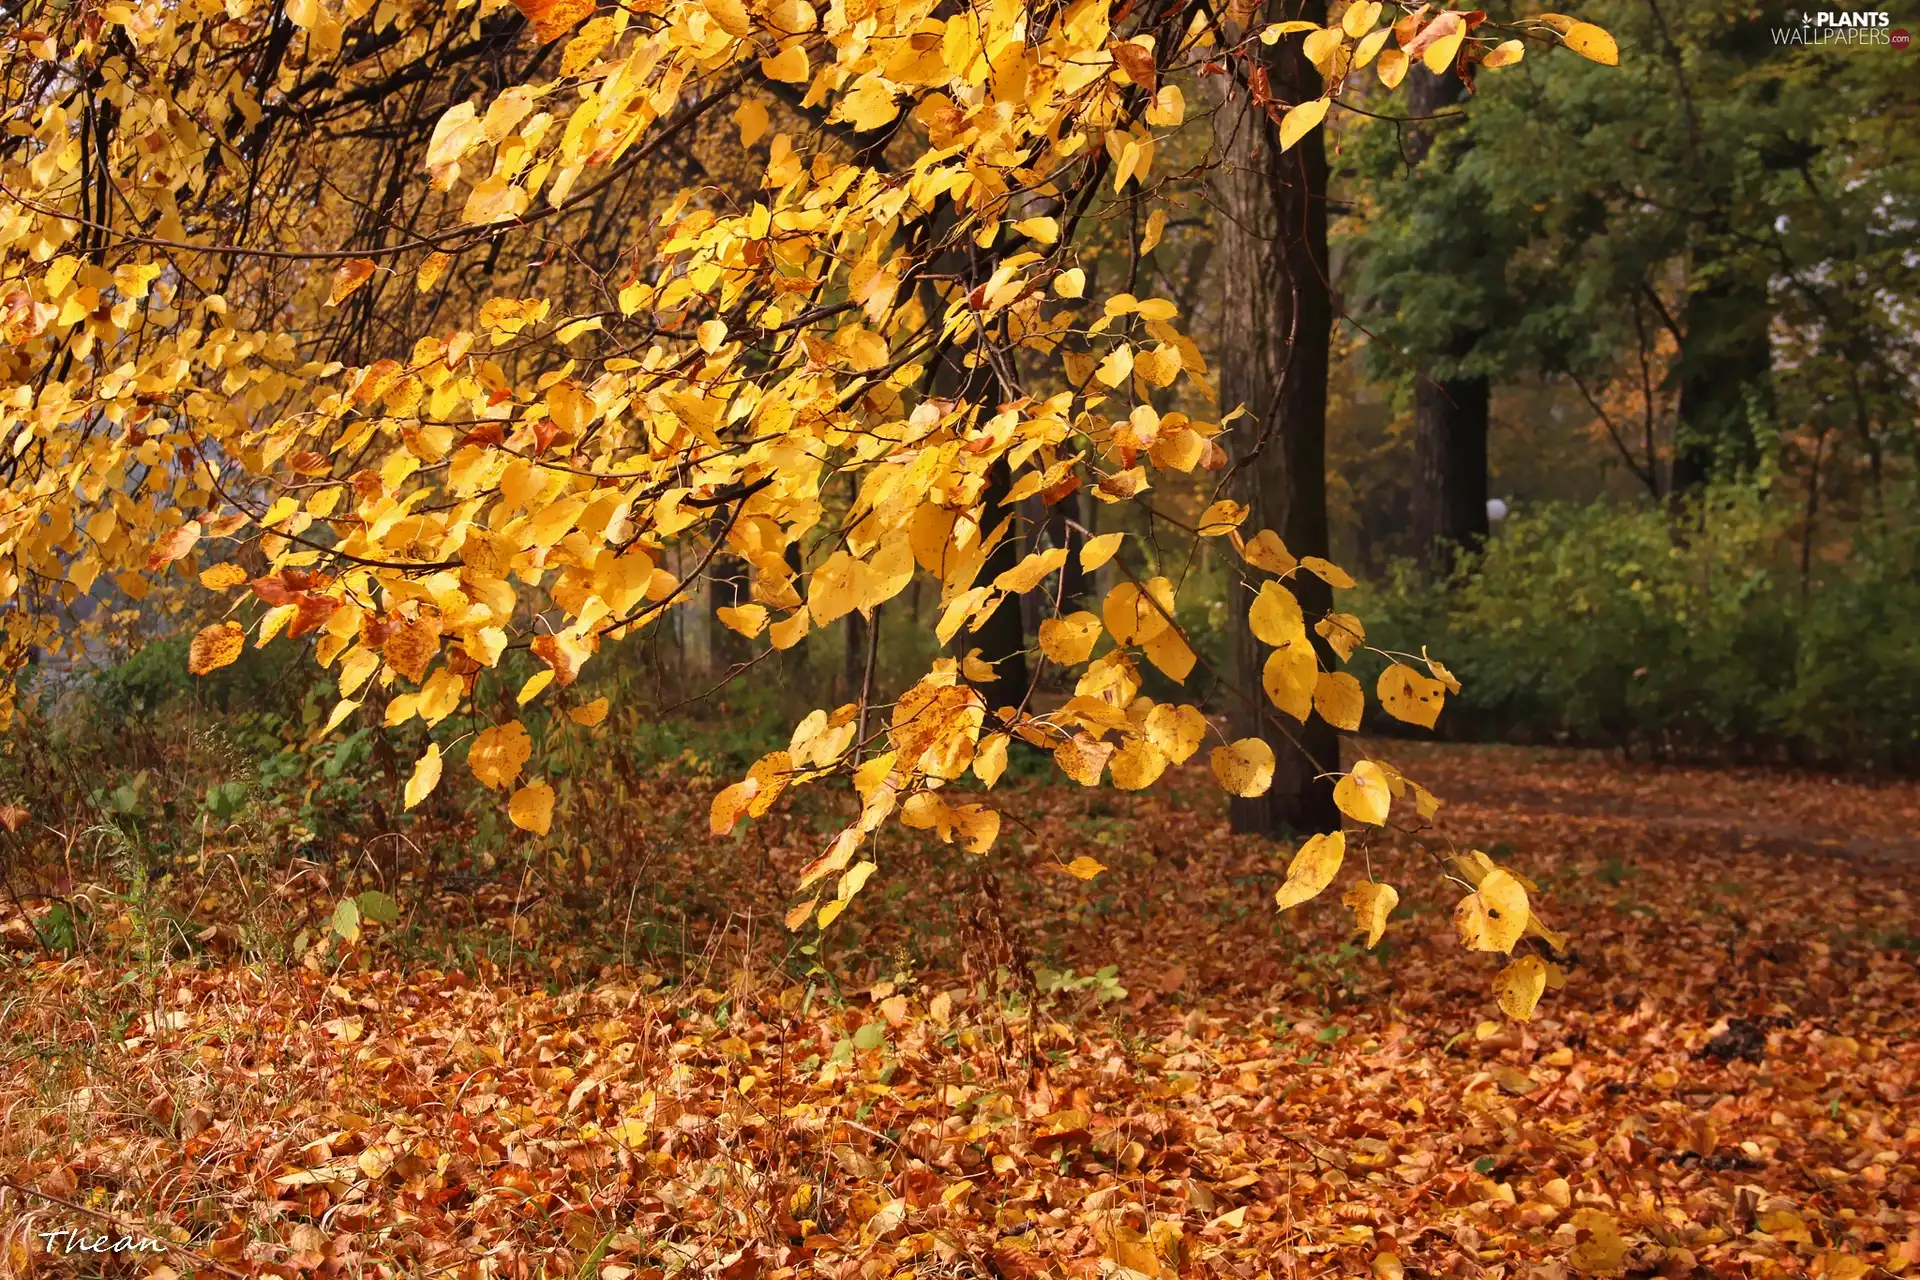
(1706,247)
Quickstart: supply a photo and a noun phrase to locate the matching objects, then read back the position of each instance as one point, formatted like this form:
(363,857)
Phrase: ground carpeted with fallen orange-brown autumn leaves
(562,1072)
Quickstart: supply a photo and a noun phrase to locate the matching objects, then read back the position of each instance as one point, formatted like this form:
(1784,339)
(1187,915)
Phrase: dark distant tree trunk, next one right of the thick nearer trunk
(1449,414)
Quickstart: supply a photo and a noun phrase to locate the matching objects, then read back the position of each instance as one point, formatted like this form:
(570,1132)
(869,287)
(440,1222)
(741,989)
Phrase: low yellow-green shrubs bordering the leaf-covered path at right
(1675,636)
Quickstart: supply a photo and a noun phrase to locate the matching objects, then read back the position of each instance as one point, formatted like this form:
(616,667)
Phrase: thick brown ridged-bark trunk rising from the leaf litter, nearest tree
(1274,350)
